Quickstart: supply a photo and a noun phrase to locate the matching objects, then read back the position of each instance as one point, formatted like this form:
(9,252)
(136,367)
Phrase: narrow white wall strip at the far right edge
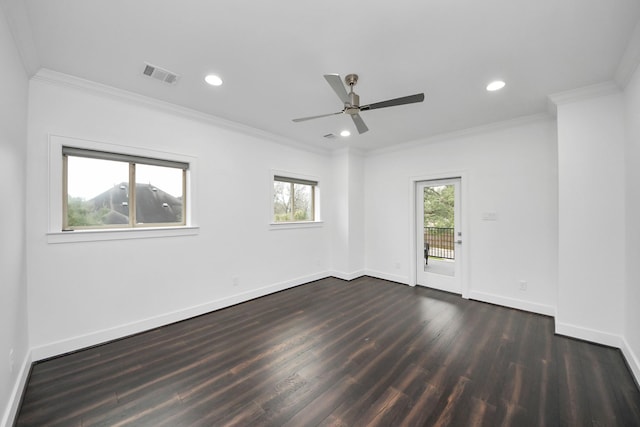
(632,291)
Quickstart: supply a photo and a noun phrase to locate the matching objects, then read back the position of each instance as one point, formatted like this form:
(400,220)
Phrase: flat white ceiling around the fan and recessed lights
(272,55)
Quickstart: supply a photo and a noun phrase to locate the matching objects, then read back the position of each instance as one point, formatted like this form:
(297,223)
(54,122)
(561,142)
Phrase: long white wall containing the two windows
(83,293)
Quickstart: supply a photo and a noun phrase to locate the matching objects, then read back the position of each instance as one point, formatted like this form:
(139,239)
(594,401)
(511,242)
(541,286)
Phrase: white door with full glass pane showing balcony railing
(438,221)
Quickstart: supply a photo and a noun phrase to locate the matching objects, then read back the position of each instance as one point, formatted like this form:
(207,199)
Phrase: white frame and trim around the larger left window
(57,235)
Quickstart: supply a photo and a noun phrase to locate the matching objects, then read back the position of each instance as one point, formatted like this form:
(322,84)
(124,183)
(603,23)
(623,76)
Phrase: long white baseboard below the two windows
(106,335)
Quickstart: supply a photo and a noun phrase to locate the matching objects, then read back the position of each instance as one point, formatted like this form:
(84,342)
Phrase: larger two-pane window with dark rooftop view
(110,190)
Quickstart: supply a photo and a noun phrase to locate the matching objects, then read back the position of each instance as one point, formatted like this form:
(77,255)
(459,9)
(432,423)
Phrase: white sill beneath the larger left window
(120,234)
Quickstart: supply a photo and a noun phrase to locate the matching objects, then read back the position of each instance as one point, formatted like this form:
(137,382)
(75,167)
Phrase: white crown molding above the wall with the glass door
(476,130)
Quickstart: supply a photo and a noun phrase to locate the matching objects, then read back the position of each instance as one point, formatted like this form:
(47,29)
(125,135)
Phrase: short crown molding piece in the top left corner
(17,17)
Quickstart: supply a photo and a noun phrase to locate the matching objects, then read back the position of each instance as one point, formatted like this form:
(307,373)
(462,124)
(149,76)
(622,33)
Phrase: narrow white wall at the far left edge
(13,294)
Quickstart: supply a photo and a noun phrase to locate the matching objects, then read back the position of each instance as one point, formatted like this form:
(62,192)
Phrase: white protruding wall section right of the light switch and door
(591,143)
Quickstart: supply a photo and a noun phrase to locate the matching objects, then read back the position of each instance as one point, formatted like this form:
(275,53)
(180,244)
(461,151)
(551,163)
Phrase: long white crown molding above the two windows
(48,76)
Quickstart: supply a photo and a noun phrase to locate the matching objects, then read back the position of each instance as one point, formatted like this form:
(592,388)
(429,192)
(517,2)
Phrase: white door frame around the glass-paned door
(464,220)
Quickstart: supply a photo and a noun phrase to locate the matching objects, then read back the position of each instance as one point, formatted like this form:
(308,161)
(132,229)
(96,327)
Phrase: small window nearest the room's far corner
(294,199)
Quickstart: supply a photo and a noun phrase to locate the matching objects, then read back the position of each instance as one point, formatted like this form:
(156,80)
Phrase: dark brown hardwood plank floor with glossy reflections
(335,353)
